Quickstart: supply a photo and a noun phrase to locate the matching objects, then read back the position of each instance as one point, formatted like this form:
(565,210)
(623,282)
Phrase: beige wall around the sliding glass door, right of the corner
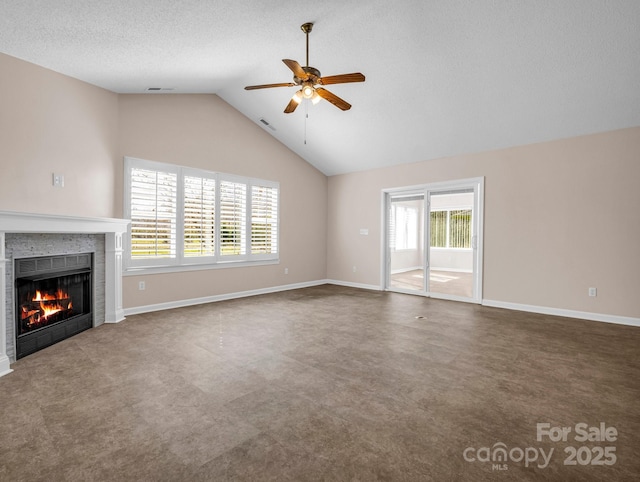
(560,217)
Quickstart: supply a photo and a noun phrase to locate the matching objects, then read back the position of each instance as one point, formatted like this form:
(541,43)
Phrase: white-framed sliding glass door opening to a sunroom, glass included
(433,240)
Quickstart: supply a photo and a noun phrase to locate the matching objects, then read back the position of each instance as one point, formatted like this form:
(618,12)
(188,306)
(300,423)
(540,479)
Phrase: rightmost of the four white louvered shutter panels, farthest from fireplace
(264,220)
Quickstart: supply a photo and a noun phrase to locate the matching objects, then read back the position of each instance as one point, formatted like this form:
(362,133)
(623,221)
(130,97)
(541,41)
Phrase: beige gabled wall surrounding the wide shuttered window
(203,131)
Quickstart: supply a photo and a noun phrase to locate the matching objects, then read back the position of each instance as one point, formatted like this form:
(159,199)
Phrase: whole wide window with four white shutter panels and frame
(187,217)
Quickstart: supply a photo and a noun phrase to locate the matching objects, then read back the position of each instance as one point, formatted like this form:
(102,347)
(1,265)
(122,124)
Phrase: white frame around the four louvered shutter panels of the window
(186,263)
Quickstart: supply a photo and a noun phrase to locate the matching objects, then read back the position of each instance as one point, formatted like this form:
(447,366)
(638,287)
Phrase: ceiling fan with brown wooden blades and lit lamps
(311,81)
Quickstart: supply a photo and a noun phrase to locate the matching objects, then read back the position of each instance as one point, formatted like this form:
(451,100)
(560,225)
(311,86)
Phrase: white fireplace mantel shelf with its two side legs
(113,229)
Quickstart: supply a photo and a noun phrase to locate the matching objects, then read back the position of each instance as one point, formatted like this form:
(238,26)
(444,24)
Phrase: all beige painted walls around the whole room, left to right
(560,216)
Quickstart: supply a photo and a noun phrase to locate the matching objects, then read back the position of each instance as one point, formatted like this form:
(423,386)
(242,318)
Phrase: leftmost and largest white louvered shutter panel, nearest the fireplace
(153,214)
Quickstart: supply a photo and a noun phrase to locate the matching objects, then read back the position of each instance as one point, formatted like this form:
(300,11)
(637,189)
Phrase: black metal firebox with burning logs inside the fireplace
(53,300)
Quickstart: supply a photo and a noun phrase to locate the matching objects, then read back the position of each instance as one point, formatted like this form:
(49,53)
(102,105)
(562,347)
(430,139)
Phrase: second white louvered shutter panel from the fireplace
(199,216)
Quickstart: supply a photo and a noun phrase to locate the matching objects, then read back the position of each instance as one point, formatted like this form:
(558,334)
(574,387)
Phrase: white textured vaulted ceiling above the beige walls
(444,77)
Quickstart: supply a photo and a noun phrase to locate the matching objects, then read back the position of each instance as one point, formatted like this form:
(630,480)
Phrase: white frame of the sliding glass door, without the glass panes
(477,185)
